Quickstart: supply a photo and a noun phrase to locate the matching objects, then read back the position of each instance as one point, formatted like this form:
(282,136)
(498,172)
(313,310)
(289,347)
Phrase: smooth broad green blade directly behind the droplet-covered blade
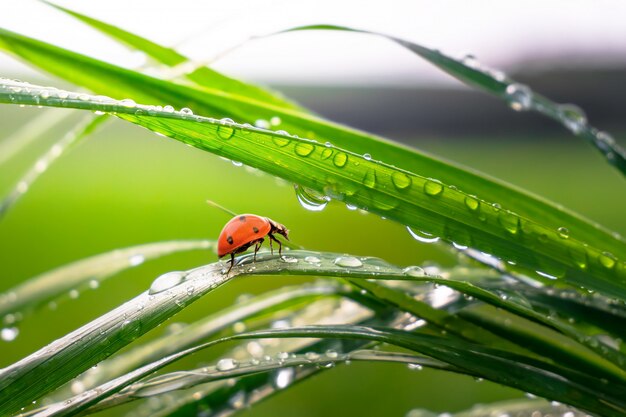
(117,82)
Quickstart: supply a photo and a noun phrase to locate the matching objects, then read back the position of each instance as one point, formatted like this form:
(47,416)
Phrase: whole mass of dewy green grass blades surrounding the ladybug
(521,316)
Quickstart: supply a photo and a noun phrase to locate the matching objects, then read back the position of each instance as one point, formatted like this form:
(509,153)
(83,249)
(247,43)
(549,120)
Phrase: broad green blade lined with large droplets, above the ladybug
(406,197)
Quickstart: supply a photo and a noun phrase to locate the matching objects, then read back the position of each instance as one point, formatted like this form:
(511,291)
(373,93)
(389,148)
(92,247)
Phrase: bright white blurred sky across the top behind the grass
(501,34)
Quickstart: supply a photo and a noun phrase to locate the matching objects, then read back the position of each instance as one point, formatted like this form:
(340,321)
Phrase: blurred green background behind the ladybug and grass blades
(125,186)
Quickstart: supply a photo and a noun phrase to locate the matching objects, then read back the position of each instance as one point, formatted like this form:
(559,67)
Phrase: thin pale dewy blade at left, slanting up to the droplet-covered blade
(69,140)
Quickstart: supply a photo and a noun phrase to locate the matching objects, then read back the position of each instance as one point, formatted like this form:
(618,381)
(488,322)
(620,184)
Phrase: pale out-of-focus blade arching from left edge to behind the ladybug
(88,272)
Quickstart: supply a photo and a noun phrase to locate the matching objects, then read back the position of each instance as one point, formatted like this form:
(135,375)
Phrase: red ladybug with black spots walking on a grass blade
(245,230)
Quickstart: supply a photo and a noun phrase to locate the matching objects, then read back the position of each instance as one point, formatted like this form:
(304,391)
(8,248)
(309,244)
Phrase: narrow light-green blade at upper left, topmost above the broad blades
(203,76)
